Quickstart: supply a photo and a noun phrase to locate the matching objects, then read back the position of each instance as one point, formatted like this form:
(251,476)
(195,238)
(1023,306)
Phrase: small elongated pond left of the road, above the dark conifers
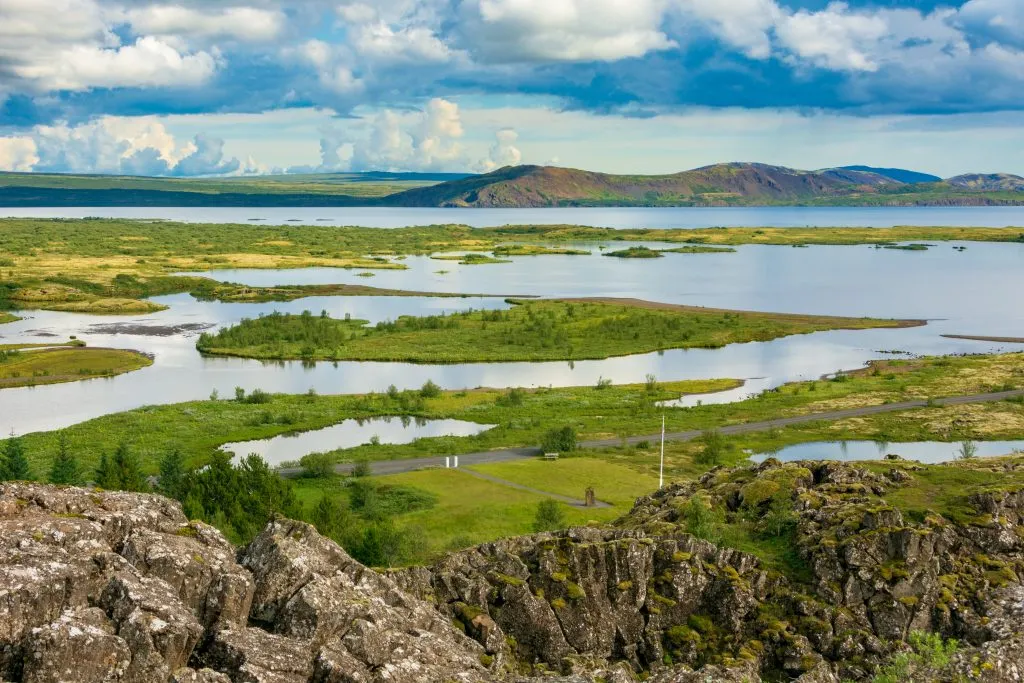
(352,434)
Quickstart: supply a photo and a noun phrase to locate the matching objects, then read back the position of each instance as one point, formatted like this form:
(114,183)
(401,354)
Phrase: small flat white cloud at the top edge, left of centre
(248,24)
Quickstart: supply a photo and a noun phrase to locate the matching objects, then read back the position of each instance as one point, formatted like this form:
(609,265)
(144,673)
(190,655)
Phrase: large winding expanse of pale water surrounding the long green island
(972,292)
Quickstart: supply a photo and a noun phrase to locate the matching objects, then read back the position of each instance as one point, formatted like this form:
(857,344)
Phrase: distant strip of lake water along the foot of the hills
(605,218)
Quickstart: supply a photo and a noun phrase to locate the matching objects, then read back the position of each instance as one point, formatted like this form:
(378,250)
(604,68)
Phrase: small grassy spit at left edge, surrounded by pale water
(52,366)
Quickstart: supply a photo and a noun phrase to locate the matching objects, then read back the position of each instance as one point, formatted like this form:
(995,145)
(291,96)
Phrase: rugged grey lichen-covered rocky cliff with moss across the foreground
(121,587)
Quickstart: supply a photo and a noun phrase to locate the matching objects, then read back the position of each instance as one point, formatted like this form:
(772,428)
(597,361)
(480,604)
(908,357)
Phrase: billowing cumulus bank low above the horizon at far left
(133,147)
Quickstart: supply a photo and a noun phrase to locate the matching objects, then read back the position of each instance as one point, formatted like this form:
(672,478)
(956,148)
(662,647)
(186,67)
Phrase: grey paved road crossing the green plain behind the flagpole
(507,455)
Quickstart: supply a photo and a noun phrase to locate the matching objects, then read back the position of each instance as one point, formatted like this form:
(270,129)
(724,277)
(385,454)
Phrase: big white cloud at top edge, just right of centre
(505,31)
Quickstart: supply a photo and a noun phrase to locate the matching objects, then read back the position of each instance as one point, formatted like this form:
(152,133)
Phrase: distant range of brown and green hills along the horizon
(721,185)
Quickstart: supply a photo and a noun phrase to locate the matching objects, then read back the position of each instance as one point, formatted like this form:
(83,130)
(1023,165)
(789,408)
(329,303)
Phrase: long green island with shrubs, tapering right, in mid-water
(541,330)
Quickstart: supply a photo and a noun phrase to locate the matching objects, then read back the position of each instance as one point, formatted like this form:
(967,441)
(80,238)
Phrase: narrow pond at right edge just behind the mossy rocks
(923,452)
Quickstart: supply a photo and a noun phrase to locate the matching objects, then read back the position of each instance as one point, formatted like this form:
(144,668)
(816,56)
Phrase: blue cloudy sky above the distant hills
(234,88)
